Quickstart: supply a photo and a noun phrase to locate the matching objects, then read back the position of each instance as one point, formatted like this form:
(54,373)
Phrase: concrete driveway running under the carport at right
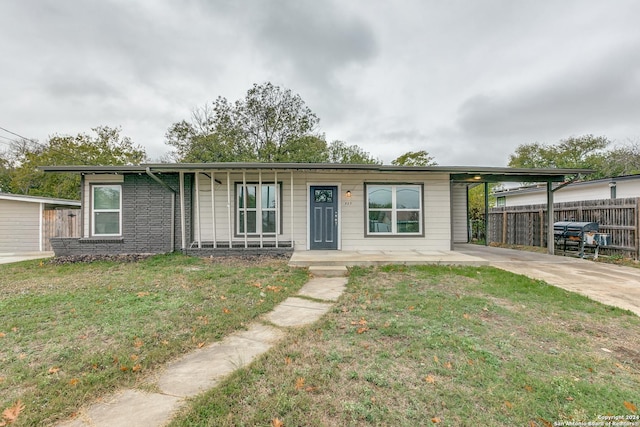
(607,283)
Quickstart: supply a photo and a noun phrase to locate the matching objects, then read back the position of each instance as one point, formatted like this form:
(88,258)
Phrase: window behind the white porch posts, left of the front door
(258,206)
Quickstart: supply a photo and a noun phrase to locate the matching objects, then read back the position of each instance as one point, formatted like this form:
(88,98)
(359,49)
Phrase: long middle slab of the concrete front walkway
(204,368)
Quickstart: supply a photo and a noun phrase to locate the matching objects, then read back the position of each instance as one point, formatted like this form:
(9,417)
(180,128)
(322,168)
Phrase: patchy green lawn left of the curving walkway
(72,333)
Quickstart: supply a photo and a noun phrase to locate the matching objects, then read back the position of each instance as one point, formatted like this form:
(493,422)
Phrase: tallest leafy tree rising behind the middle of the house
(269,125)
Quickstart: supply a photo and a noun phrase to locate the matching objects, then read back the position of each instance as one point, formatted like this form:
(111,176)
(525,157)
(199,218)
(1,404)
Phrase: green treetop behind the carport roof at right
(585,151)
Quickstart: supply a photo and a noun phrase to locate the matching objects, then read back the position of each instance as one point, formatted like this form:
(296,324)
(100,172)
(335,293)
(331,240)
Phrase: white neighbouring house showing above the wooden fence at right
(619,187)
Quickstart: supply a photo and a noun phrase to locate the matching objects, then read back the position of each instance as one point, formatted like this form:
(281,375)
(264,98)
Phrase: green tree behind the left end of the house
(107,147)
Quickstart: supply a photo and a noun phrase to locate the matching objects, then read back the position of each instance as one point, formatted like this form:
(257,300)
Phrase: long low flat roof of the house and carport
(458,173)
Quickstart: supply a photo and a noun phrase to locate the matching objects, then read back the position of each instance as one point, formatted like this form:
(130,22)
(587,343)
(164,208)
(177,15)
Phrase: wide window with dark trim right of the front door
(394,209)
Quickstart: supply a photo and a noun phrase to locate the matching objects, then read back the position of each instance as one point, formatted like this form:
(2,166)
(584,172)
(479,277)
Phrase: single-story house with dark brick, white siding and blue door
(209,208)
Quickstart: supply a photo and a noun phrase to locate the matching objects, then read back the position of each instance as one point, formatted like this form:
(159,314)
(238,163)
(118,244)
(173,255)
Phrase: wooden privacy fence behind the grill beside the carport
(526,225)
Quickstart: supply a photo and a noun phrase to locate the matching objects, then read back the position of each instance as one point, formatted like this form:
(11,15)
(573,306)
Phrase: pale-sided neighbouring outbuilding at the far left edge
(27,222)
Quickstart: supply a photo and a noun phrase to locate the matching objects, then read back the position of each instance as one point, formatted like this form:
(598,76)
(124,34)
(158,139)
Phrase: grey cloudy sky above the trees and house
(465,80)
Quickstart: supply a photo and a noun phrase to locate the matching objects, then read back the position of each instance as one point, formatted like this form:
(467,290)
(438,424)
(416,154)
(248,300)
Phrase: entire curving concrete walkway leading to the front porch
(205,368)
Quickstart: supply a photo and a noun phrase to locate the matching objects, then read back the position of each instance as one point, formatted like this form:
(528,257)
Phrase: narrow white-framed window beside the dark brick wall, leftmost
(106,210)
